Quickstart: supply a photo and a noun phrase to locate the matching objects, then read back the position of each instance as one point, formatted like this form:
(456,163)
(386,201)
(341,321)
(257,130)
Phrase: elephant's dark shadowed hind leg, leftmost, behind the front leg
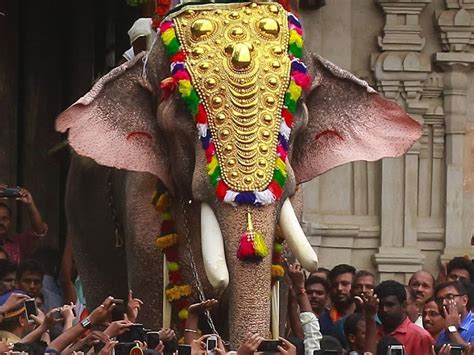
(100,264)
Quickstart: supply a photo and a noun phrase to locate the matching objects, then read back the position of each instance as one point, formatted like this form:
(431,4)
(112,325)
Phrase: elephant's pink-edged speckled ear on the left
(114,123)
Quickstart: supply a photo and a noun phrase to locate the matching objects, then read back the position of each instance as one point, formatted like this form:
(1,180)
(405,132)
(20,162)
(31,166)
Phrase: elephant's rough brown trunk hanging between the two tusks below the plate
(249,303)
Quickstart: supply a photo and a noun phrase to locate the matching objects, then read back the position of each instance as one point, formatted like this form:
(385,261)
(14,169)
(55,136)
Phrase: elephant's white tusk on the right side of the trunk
(296,239)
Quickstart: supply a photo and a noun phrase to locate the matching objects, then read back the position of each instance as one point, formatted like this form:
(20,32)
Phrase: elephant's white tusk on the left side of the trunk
(212,245)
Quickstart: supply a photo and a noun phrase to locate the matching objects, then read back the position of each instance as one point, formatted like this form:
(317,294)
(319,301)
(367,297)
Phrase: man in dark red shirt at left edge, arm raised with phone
(20,246)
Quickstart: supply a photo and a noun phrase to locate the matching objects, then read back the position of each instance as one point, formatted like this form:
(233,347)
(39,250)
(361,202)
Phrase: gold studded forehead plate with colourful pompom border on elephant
(236,59)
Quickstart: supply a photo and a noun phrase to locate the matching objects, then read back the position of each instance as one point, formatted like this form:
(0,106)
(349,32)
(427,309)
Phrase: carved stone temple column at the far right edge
(456,27)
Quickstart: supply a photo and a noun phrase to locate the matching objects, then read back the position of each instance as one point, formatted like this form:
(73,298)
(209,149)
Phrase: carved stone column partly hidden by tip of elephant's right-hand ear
(400,71)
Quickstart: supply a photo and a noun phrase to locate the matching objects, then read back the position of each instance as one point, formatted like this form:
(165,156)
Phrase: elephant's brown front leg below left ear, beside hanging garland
(144,259)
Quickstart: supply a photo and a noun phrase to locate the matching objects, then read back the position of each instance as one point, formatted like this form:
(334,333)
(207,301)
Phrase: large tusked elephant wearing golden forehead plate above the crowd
(132,131)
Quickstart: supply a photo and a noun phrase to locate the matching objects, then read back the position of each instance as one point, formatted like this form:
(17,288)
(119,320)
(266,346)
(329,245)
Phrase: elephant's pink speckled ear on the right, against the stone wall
(348,121)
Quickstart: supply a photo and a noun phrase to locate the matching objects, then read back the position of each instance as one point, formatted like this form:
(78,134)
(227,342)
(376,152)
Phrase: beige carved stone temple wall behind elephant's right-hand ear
(397,216)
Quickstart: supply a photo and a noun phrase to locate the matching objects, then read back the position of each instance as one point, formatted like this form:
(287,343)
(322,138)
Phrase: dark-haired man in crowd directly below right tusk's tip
(317,290)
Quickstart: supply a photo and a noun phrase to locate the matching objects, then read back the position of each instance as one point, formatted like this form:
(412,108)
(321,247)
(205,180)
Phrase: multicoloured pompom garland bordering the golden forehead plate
(299,80)
